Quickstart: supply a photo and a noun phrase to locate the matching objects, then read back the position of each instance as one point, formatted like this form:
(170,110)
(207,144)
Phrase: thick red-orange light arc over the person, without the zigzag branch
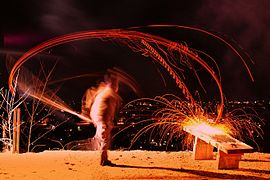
(132,36)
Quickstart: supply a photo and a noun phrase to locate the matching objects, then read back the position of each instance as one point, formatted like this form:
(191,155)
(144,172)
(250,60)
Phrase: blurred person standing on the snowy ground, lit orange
(101,104)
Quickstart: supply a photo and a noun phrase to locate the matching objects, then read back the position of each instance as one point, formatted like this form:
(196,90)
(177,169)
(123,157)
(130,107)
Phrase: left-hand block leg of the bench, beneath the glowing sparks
(202,150)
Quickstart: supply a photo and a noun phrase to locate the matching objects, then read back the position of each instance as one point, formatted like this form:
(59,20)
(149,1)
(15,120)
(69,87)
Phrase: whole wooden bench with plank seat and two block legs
(229,149)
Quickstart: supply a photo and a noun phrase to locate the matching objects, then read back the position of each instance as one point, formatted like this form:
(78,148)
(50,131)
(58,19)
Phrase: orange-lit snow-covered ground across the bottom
(79,165)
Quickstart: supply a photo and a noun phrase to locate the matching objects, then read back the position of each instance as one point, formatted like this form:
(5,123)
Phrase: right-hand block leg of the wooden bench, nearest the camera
(228,161)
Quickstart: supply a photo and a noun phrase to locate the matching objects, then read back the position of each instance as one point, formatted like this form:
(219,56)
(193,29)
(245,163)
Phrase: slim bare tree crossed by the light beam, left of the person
(36,112)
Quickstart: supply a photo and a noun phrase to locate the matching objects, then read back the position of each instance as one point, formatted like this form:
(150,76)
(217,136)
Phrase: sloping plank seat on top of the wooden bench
(223,142)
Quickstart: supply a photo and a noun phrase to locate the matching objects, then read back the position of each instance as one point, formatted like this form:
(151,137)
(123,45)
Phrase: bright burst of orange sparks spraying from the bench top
(171,115)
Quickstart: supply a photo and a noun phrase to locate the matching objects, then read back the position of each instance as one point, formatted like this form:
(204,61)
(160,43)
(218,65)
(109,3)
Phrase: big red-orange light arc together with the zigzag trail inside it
(143,43)
